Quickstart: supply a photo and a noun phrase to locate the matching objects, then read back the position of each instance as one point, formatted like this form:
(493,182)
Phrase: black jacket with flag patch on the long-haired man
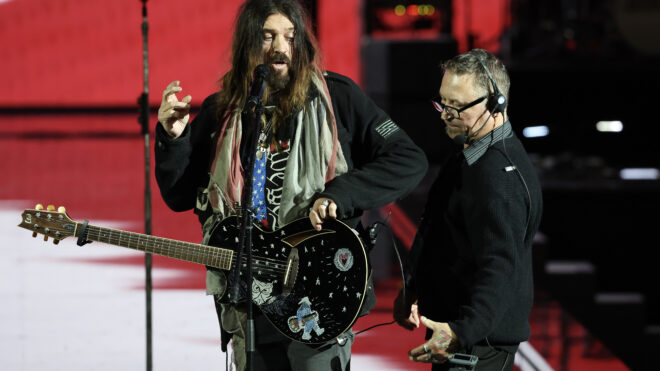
(384,164)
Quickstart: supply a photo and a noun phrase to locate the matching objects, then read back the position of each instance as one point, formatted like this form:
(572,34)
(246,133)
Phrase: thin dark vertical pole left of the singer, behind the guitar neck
(143,102)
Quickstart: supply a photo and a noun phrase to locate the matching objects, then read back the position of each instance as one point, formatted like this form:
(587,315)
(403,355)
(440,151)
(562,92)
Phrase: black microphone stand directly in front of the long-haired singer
(245,235)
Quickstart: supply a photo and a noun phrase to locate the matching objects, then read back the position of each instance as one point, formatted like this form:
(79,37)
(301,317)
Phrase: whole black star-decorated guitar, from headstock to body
(310,285)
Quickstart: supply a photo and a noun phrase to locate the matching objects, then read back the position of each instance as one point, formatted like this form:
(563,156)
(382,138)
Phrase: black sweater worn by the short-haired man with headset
(472,257)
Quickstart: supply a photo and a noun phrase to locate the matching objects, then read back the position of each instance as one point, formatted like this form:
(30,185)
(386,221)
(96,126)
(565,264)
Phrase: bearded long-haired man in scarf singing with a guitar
(325,150)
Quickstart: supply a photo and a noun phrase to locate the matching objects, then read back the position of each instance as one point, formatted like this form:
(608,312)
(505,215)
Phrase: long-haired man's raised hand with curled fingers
(172,113)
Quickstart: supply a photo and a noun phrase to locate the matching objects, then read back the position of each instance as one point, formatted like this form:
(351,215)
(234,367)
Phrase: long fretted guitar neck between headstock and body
(186,251)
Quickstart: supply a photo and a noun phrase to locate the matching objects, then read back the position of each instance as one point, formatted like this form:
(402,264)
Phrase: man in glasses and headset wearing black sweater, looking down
(470,280)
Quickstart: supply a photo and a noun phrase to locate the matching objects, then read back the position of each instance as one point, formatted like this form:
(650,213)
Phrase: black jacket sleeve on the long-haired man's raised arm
(182,163)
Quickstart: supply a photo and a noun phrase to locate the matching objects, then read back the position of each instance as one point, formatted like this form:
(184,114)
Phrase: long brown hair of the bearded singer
(247,53)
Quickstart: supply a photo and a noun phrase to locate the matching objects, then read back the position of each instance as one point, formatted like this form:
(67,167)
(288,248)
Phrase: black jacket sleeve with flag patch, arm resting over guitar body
(384,163)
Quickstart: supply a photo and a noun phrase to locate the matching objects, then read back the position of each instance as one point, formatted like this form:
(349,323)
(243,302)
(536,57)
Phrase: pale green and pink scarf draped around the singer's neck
(315,158)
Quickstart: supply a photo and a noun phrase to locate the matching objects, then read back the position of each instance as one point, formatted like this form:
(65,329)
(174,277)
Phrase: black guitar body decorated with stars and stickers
(310,285)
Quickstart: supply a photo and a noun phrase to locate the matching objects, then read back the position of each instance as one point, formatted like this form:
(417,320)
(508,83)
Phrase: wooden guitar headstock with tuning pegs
(49,223)
